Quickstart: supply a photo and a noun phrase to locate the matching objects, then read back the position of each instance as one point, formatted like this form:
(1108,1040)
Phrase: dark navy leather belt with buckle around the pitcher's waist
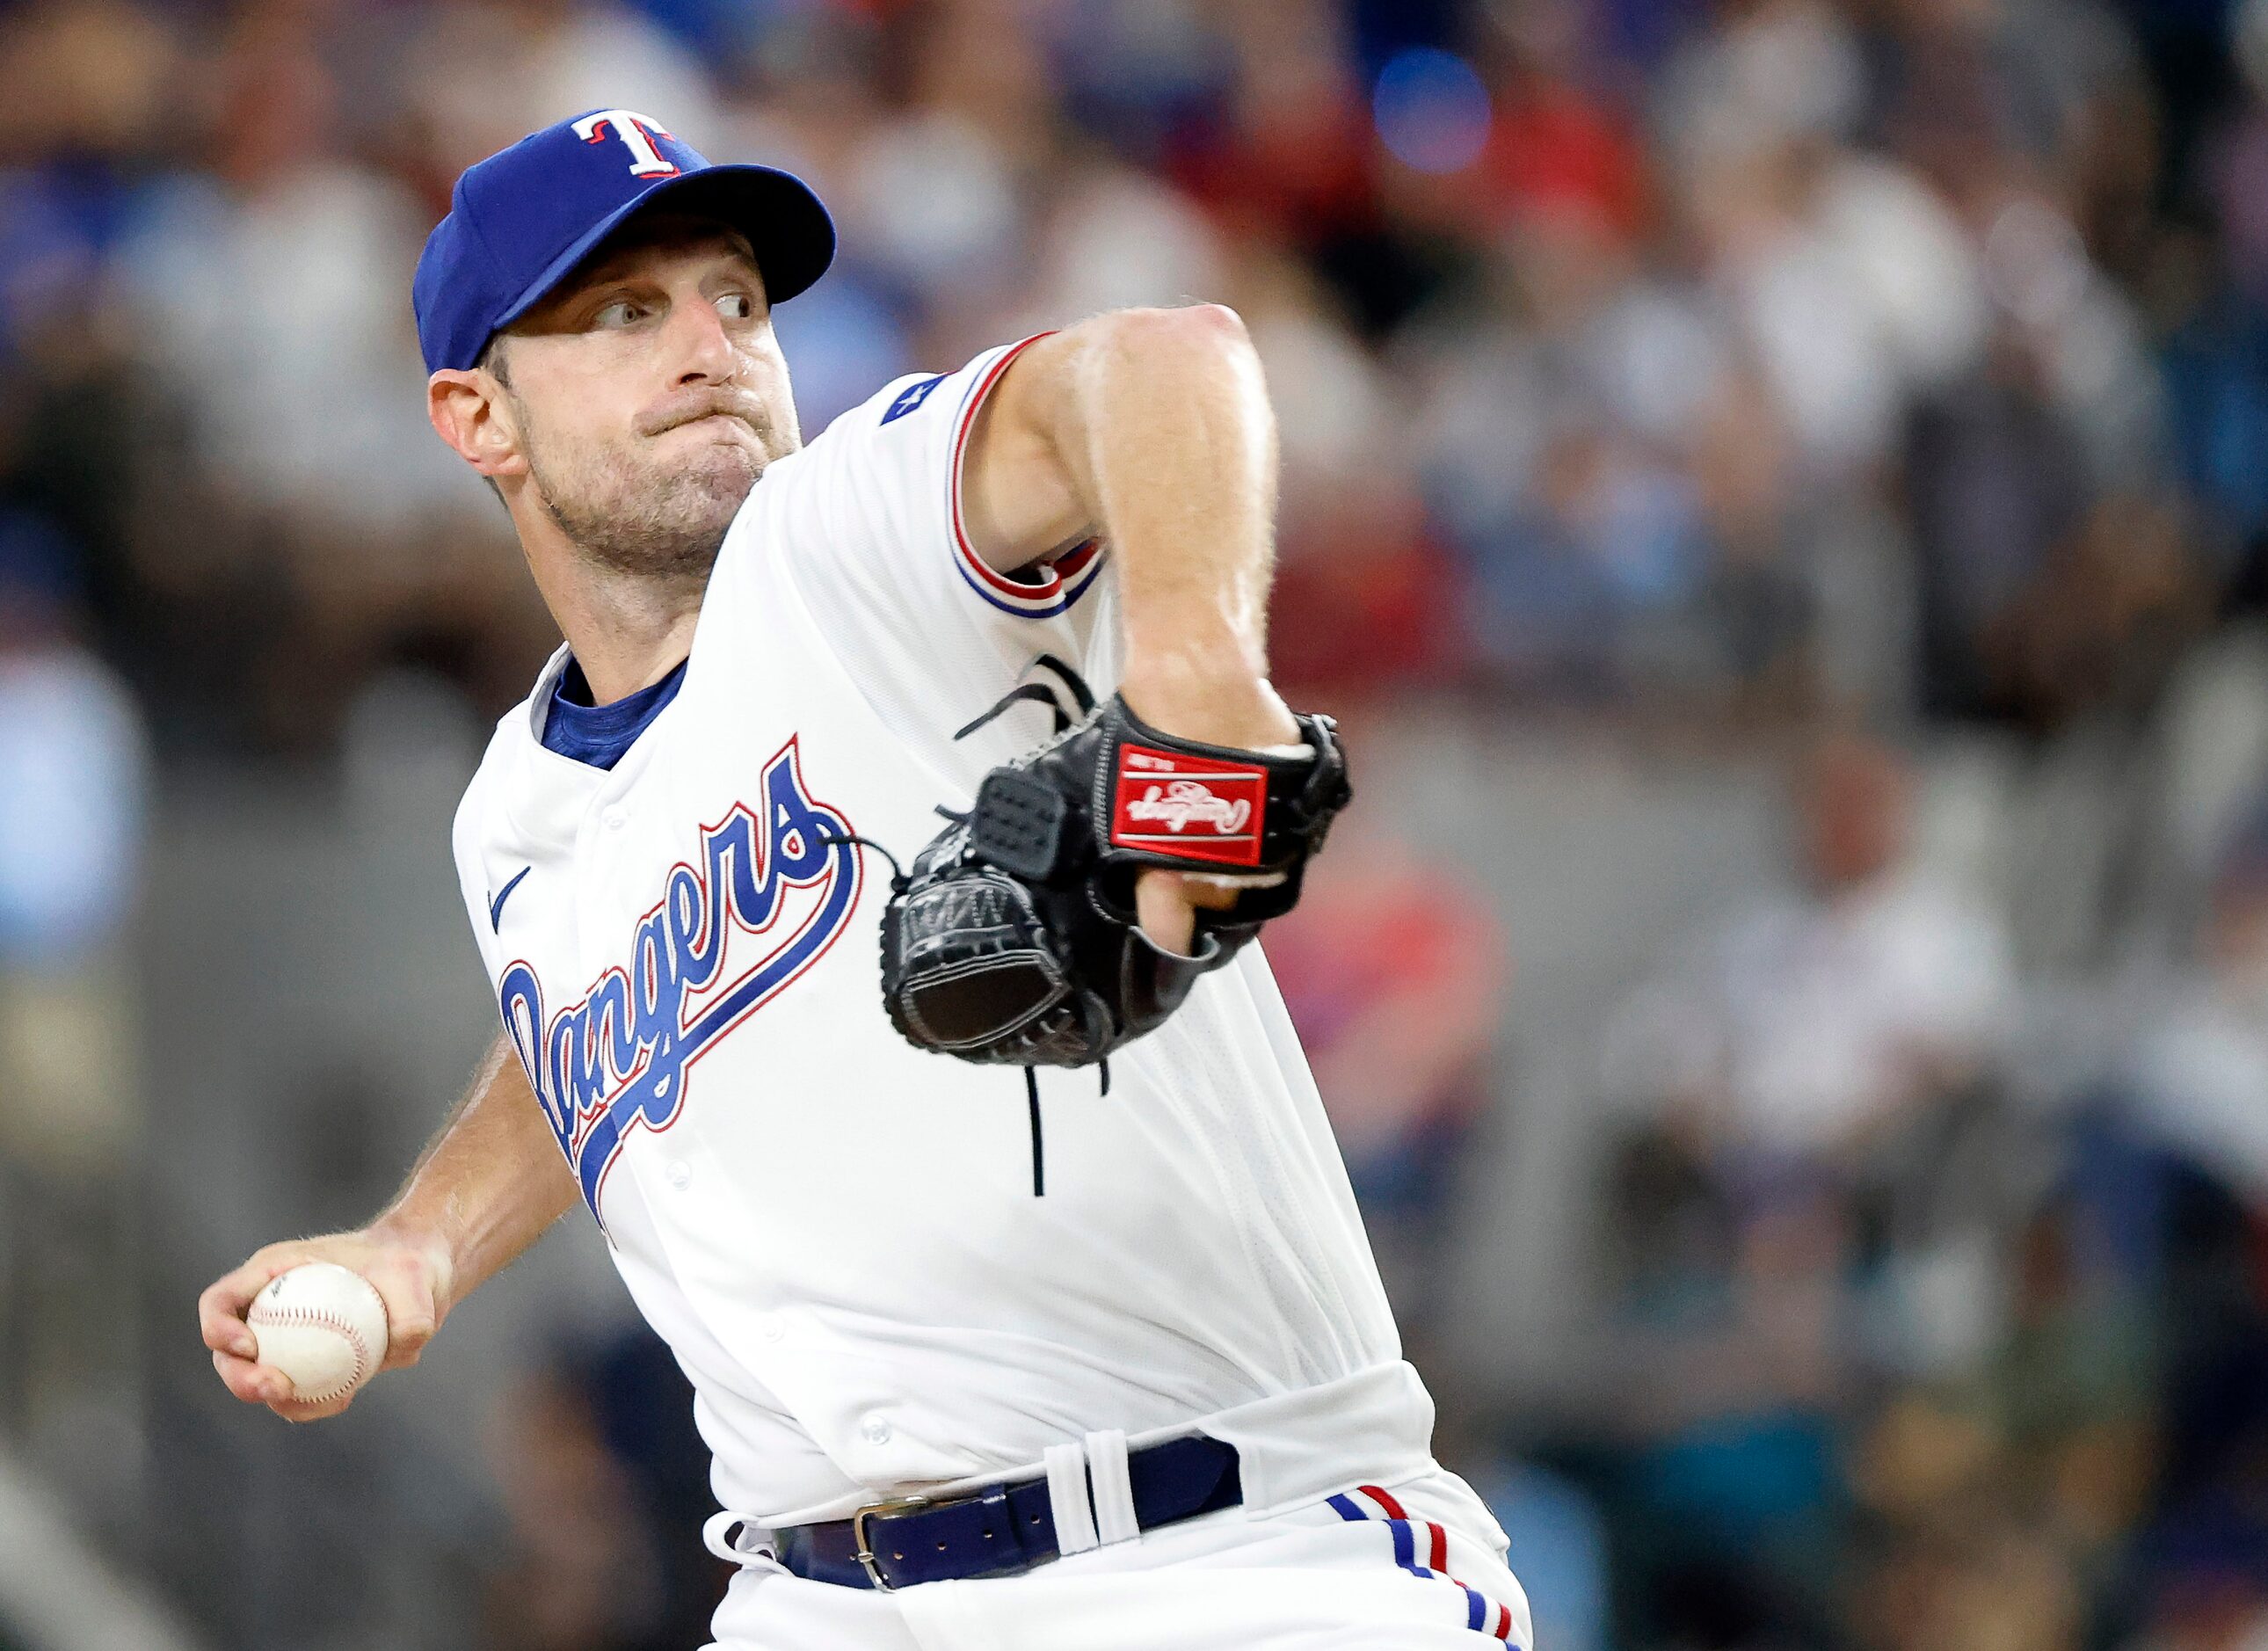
(1001,1530)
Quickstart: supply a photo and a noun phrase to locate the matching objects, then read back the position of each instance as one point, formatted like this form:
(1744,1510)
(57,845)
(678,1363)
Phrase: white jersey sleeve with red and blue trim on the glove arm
(870,527)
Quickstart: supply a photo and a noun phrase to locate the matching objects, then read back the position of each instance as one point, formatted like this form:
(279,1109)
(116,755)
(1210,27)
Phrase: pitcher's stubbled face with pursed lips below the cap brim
(650,396)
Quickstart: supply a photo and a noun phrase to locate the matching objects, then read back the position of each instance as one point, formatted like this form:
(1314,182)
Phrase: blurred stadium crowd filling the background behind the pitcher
(1779,496)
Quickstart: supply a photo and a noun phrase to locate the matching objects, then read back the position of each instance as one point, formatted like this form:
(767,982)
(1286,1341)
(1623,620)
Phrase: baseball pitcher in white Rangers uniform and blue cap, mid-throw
(868,892)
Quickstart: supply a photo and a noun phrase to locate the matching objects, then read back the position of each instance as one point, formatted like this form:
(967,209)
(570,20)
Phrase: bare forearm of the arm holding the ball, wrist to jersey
(491,1180)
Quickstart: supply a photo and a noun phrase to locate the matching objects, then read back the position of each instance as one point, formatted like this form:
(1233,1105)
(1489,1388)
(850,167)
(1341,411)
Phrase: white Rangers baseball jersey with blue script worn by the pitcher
(836,1233)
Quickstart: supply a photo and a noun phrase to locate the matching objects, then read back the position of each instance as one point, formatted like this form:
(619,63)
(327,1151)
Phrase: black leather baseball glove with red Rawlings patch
(1015,938)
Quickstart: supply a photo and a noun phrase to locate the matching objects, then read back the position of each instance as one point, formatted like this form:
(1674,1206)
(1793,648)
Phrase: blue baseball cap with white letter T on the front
(530,214)
